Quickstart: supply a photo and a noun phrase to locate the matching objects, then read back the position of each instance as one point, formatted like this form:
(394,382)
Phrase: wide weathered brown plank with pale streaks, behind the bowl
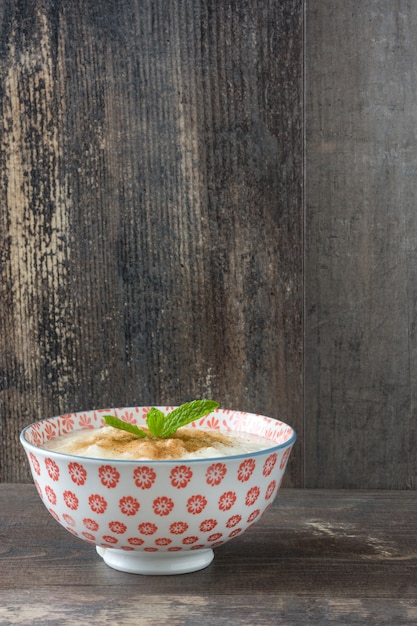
(151,215)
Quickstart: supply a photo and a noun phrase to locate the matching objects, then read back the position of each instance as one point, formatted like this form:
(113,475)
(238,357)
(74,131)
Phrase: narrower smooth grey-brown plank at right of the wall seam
(361,246)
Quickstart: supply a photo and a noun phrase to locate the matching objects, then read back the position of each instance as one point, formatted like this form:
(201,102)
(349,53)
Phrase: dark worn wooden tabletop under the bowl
(317,557)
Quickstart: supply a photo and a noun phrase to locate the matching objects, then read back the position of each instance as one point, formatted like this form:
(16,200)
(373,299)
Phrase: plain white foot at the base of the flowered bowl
(156,563)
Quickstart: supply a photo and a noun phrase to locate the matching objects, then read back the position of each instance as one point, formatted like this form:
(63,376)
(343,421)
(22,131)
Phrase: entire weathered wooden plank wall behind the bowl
(214,198)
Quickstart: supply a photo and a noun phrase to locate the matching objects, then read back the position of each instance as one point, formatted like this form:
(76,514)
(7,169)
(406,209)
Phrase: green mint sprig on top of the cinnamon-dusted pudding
(164,426)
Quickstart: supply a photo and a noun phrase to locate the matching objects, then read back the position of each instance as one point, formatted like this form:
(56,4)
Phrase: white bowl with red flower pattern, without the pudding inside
(158,517)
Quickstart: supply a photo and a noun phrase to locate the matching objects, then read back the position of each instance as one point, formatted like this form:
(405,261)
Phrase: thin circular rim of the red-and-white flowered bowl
(27,445)
